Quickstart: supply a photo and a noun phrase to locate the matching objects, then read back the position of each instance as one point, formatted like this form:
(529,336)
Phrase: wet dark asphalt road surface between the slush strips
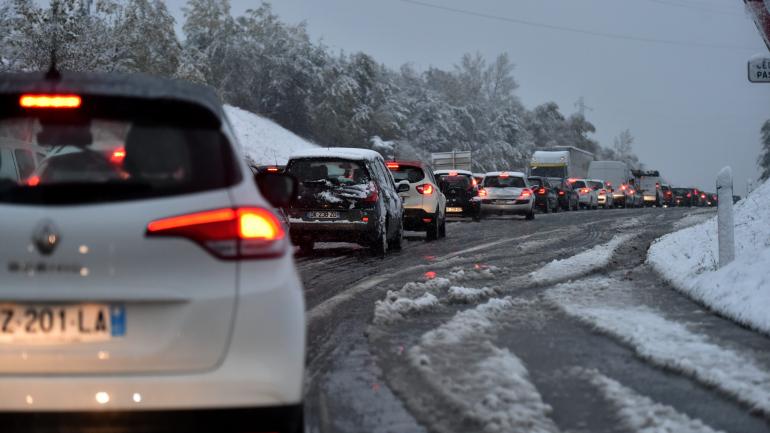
(359,380)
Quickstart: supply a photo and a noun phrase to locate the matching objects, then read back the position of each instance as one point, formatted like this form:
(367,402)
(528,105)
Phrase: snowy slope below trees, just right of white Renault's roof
(264,141)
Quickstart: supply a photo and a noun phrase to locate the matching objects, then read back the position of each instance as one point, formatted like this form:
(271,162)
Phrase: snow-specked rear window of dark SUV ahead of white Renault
(332,171)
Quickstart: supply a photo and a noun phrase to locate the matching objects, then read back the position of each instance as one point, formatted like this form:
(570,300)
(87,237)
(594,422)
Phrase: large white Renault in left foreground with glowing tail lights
(148,286)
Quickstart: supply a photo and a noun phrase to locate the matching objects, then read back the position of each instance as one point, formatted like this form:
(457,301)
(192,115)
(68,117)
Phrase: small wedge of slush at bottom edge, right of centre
(641,414)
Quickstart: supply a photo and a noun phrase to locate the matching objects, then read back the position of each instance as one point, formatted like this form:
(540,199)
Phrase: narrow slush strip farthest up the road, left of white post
(580,264)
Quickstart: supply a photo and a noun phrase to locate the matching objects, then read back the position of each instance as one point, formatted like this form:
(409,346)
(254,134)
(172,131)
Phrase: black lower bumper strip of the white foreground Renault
(226,420)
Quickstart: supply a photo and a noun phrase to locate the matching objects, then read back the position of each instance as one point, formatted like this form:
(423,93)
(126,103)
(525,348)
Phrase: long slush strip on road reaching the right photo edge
(603,304)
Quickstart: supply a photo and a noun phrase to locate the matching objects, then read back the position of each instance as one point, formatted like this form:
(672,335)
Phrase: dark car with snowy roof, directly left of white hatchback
(461,190)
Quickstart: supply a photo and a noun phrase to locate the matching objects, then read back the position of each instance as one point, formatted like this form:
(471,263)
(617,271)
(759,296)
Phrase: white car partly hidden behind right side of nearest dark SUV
(424,203)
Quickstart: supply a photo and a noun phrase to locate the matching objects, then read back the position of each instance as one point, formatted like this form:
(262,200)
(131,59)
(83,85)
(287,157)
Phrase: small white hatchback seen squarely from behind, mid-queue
(507,192)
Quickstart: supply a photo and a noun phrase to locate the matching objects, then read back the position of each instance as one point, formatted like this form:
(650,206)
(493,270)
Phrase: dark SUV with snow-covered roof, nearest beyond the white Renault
(345,195)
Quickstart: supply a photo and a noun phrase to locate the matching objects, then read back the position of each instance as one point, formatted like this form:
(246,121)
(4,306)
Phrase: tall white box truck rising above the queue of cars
(561,162)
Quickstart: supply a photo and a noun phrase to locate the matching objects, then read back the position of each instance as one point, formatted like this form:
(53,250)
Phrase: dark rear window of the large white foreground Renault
(100,160)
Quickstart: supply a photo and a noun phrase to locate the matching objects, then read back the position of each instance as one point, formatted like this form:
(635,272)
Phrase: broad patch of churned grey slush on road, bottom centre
(495,391)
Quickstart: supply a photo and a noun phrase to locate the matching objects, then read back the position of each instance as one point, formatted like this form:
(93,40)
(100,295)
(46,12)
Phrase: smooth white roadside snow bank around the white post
(689,259)
